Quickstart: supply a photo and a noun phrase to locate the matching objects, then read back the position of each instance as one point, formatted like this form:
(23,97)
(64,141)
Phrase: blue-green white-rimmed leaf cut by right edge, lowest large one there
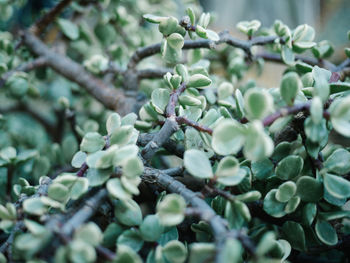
(337,186)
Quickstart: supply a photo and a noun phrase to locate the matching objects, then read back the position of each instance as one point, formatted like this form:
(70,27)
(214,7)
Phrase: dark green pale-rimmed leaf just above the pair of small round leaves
(289,167)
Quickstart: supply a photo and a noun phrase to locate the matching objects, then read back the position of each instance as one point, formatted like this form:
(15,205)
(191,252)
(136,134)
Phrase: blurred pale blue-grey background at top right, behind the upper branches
(330,18)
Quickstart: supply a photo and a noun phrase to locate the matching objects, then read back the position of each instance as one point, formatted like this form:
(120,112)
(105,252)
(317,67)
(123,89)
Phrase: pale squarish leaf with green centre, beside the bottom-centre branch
(171,210)
